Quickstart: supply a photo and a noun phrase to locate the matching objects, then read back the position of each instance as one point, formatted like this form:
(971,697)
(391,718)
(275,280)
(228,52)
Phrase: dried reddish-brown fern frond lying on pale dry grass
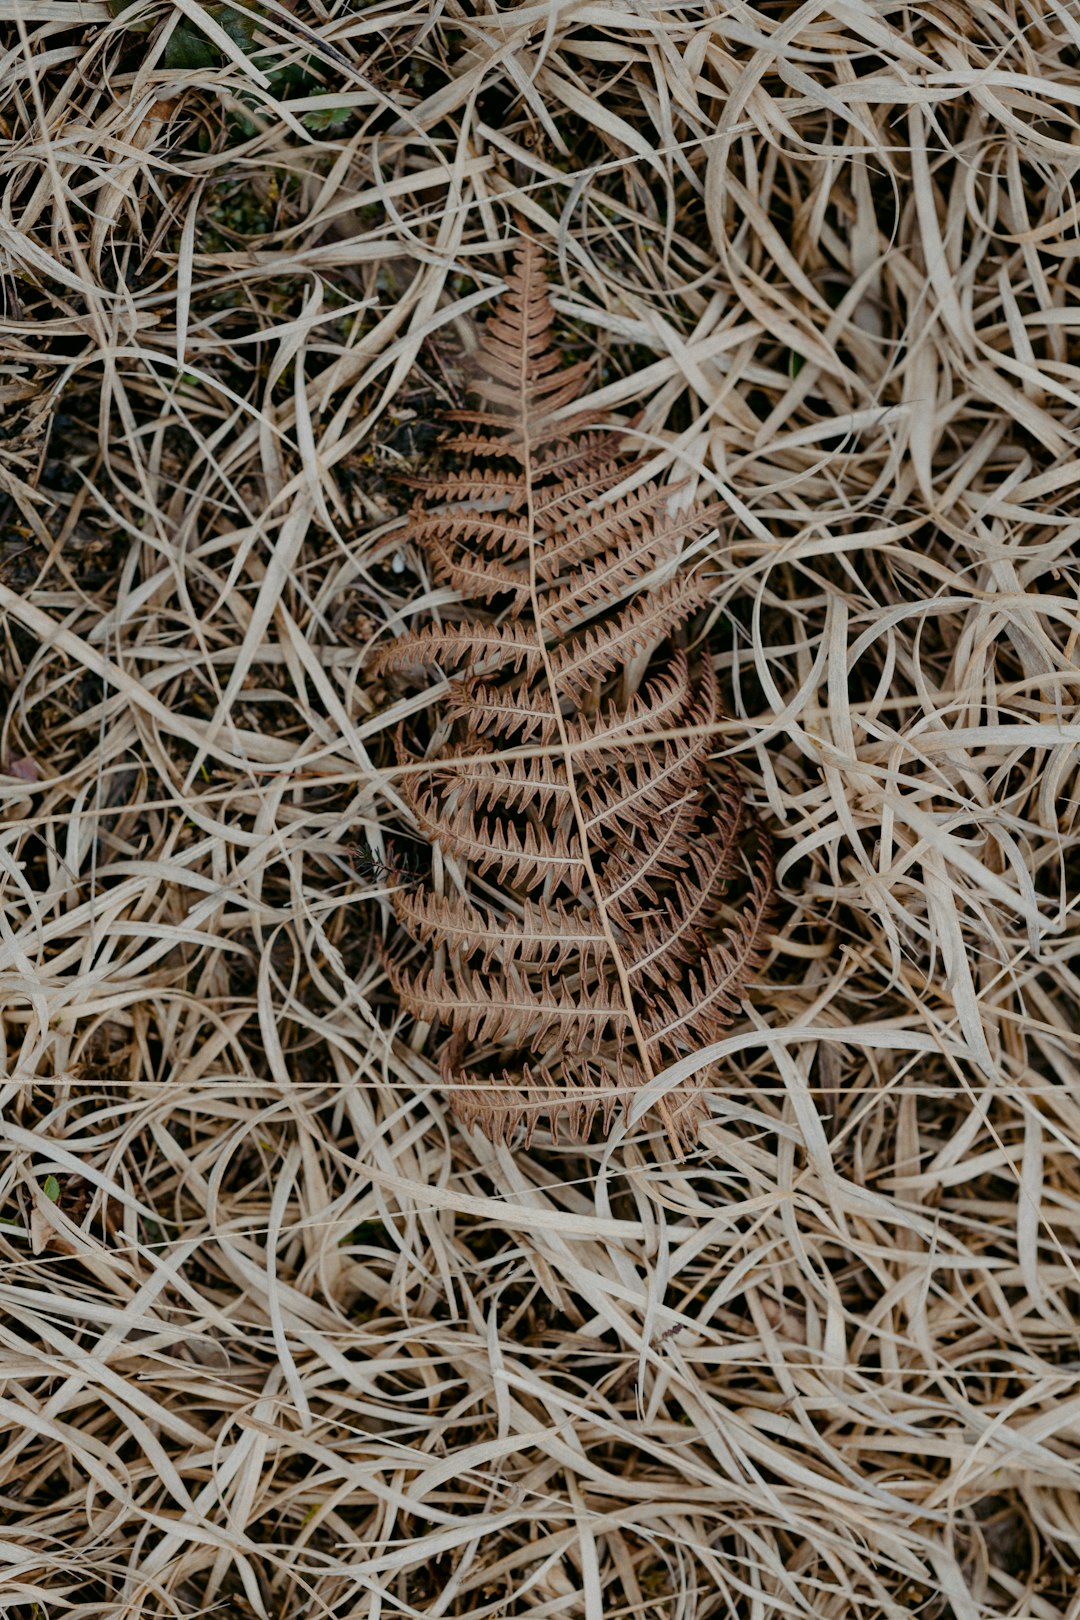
(602,892)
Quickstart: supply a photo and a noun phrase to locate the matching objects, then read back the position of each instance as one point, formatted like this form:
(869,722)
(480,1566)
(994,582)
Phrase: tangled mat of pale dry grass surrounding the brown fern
(279,1341)
